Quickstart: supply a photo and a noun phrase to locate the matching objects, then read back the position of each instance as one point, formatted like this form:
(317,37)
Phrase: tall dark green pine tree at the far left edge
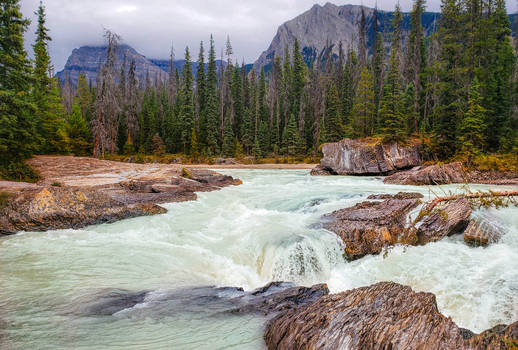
(17,126)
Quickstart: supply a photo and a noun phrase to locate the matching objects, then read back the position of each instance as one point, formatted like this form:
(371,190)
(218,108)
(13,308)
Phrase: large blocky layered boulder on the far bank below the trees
(365,157)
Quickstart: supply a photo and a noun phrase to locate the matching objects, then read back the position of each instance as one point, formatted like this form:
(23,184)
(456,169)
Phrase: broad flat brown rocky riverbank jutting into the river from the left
(75,192)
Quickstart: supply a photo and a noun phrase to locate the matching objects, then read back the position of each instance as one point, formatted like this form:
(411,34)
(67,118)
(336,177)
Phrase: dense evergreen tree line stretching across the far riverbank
(455,91)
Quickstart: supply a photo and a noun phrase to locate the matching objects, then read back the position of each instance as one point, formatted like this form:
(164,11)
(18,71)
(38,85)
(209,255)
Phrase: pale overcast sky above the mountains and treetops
(151,25)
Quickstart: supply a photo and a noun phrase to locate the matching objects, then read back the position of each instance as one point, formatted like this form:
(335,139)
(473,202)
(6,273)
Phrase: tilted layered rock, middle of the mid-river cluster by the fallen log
(442,222)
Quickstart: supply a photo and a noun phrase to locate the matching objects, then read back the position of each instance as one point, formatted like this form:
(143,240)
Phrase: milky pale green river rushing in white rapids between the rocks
(264,230)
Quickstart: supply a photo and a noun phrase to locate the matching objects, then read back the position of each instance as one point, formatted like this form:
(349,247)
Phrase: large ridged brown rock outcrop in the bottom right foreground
(385,315)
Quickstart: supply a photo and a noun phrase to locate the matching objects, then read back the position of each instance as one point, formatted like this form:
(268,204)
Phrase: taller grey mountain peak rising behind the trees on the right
(332,23)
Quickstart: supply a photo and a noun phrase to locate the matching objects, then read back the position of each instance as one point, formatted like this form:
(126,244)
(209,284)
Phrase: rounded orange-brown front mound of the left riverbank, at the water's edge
(50,208)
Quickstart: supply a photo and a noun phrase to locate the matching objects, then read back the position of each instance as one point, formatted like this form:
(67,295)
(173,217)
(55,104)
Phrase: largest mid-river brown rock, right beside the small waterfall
(368,227)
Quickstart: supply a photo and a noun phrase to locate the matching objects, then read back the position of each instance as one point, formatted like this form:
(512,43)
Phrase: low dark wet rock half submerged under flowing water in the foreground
(270,299)
